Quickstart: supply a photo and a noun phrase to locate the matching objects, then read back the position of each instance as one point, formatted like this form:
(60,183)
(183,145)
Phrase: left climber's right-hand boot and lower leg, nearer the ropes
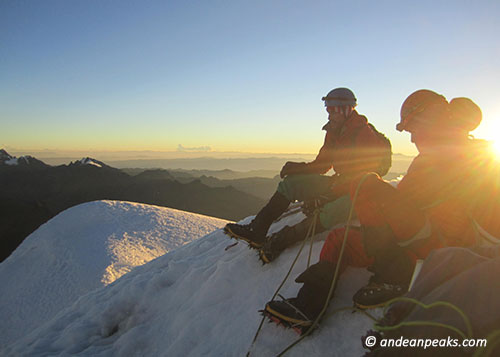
(286,237)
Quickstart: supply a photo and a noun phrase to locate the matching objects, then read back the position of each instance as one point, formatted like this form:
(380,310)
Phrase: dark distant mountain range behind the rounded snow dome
(32,192)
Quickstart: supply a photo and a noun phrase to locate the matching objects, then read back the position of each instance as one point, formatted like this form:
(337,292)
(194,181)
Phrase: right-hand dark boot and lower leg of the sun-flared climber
(392,268)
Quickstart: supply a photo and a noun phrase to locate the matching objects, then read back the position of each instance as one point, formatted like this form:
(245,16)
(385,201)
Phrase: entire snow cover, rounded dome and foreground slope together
(201,298)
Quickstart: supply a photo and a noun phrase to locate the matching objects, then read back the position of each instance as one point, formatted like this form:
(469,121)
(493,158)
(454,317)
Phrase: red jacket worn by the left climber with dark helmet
(353,149)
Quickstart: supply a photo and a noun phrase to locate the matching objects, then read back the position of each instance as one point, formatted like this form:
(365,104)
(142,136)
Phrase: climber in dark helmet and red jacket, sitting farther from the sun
(352,146)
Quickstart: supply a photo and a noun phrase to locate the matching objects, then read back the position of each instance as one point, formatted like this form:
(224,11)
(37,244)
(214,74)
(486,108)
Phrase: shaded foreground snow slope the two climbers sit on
(198,300)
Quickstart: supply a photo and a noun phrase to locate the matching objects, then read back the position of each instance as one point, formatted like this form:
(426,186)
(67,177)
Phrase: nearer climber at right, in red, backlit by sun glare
(449,197)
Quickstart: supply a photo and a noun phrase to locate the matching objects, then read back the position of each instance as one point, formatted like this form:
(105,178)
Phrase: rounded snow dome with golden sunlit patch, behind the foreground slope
(82,249)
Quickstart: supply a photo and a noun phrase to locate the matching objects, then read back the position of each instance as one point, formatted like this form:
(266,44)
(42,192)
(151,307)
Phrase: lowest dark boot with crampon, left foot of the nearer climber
(306,307)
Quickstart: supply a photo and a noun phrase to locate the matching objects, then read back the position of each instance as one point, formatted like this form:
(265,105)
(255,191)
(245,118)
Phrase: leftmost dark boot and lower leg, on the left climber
(255,232)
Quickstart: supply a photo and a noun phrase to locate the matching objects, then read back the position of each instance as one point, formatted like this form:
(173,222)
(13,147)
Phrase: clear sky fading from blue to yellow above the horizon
(232,76)
